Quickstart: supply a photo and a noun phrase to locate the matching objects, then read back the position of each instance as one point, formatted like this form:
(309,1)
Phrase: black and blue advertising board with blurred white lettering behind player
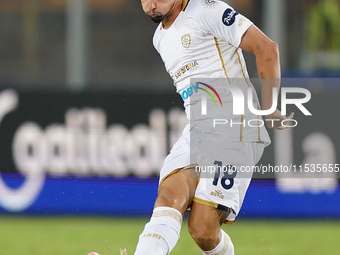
(79,154)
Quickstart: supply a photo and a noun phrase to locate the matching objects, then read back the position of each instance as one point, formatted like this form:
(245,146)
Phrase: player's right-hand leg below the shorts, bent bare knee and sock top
(205,228)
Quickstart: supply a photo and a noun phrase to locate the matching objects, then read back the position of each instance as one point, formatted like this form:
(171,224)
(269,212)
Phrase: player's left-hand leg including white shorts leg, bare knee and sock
(175,195)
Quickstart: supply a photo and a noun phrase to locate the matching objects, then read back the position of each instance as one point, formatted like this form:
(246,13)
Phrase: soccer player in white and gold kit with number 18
(202,40)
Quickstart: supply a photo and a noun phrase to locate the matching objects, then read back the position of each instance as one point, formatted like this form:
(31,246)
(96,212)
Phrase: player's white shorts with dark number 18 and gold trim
(222,183)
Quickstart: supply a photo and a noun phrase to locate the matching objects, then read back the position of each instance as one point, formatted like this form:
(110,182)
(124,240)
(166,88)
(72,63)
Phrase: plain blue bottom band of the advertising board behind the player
(136,196)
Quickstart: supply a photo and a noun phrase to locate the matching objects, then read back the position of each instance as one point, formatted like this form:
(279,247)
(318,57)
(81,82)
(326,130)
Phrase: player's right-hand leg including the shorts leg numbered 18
(221,192)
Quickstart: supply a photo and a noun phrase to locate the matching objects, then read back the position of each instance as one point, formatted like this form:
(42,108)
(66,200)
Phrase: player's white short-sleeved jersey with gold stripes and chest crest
(202,46)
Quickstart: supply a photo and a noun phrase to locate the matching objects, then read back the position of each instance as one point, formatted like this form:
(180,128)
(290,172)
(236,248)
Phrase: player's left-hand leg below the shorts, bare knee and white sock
(162,232)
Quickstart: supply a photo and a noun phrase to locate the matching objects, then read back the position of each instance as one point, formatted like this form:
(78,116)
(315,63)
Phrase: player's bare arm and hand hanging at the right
(268,64)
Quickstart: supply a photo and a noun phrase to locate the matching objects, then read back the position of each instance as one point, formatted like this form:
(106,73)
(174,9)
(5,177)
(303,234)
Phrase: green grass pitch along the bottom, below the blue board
(78,236)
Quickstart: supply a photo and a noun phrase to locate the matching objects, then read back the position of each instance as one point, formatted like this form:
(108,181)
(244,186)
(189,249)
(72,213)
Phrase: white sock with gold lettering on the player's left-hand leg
(161,234)
